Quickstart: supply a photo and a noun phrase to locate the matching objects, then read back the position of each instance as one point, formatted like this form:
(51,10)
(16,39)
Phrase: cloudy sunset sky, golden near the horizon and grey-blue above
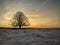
(41,13)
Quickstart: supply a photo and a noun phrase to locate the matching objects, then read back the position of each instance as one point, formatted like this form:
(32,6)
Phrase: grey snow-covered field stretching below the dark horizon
(41,36)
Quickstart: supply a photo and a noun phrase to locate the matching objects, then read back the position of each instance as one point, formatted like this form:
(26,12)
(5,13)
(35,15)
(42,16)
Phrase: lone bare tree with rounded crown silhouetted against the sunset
(19,19)
